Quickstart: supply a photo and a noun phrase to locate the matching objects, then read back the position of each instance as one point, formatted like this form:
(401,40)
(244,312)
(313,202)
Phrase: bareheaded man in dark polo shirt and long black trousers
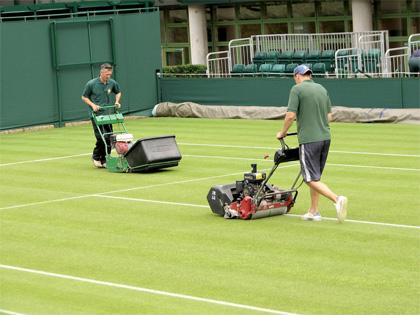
(101,91)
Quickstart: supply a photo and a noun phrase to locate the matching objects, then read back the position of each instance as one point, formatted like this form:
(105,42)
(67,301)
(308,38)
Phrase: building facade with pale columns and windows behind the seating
(191,28)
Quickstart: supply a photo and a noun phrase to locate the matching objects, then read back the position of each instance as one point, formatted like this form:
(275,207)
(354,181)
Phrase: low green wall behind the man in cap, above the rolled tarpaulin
(363,93)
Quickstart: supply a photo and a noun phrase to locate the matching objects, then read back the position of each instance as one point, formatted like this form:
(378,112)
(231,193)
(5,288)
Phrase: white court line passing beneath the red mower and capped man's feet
(291,215)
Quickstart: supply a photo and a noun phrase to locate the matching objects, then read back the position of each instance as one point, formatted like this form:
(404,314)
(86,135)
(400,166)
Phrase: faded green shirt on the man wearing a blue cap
(311,103)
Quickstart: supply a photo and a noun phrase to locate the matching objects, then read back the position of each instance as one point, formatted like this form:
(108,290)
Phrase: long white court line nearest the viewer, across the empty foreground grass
(146,290)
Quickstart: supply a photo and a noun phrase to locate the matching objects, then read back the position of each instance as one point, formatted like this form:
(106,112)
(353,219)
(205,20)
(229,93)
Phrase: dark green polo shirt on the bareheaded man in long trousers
(101,93)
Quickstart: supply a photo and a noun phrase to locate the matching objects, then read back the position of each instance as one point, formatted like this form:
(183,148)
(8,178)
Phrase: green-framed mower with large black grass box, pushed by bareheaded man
(124,155)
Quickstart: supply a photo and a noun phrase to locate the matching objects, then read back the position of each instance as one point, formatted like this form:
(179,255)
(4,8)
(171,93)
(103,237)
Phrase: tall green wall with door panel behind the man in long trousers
(46,63)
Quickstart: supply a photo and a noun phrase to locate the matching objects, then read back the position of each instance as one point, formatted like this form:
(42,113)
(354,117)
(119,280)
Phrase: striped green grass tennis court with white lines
(80,240)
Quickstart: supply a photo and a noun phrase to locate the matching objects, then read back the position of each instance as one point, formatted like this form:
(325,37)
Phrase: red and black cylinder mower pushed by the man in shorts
(253,197)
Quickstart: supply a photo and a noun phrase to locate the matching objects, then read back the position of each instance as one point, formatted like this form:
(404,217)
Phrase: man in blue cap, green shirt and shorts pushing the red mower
(310,105)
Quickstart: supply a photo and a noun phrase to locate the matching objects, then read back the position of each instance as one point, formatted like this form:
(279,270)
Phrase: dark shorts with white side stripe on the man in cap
(313,157)
